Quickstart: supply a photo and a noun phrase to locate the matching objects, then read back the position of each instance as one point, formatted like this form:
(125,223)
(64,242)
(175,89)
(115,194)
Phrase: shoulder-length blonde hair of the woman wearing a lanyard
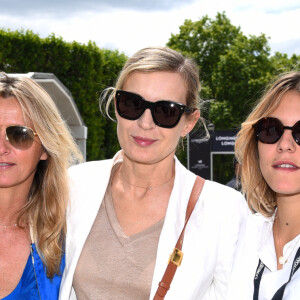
(261,198)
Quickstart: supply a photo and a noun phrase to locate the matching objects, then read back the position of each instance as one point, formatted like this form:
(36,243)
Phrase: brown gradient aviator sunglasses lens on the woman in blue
(20,137)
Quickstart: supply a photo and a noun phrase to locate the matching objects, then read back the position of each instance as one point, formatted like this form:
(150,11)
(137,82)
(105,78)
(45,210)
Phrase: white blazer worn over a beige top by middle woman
(210,236)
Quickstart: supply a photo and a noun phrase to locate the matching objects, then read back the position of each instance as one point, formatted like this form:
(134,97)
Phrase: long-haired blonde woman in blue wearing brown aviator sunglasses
(35,150)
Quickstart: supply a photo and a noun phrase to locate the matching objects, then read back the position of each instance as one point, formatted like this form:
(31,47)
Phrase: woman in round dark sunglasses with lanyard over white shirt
(268,150)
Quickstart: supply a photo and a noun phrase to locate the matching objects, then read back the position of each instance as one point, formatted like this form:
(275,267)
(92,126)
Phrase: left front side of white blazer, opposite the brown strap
(88,183)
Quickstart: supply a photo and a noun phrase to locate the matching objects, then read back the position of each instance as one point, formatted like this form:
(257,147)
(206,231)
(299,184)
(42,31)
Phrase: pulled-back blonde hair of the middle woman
(153,59)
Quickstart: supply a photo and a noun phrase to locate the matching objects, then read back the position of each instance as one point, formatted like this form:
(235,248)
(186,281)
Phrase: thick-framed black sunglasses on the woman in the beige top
(164,113)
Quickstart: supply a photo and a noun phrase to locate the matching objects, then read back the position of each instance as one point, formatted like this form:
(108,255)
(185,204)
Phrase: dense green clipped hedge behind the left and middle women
(84,69)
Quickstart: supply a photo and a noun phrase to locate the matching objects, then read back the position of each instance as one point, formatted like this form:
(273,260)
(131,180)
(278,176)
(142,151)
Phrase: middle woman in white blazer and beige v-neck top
(127,213)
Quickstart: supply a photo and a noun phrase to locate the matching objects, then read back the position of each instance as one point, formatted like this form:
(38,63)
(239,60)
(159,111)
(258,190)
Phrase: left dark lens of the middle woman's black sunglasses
(129,106)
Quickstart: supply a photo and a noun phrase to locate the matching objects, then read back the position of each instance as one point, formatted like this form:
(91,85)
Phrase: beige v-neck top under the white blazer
(113,265)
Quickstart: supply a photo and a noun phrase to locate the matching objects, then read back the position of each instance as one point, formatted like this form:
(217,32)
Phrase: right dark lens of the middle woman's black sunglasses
(166,114)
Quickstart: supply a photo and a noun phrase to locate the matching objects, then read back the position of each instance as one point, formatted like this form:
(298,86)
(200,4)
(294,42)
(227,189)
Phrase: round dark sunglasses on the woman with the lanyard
(269,130)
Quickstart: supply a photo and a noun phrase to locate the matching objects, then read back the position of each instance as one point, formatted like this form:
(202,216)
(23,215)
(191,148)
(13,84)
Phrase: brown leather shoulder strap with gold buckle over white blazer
(176,256)
